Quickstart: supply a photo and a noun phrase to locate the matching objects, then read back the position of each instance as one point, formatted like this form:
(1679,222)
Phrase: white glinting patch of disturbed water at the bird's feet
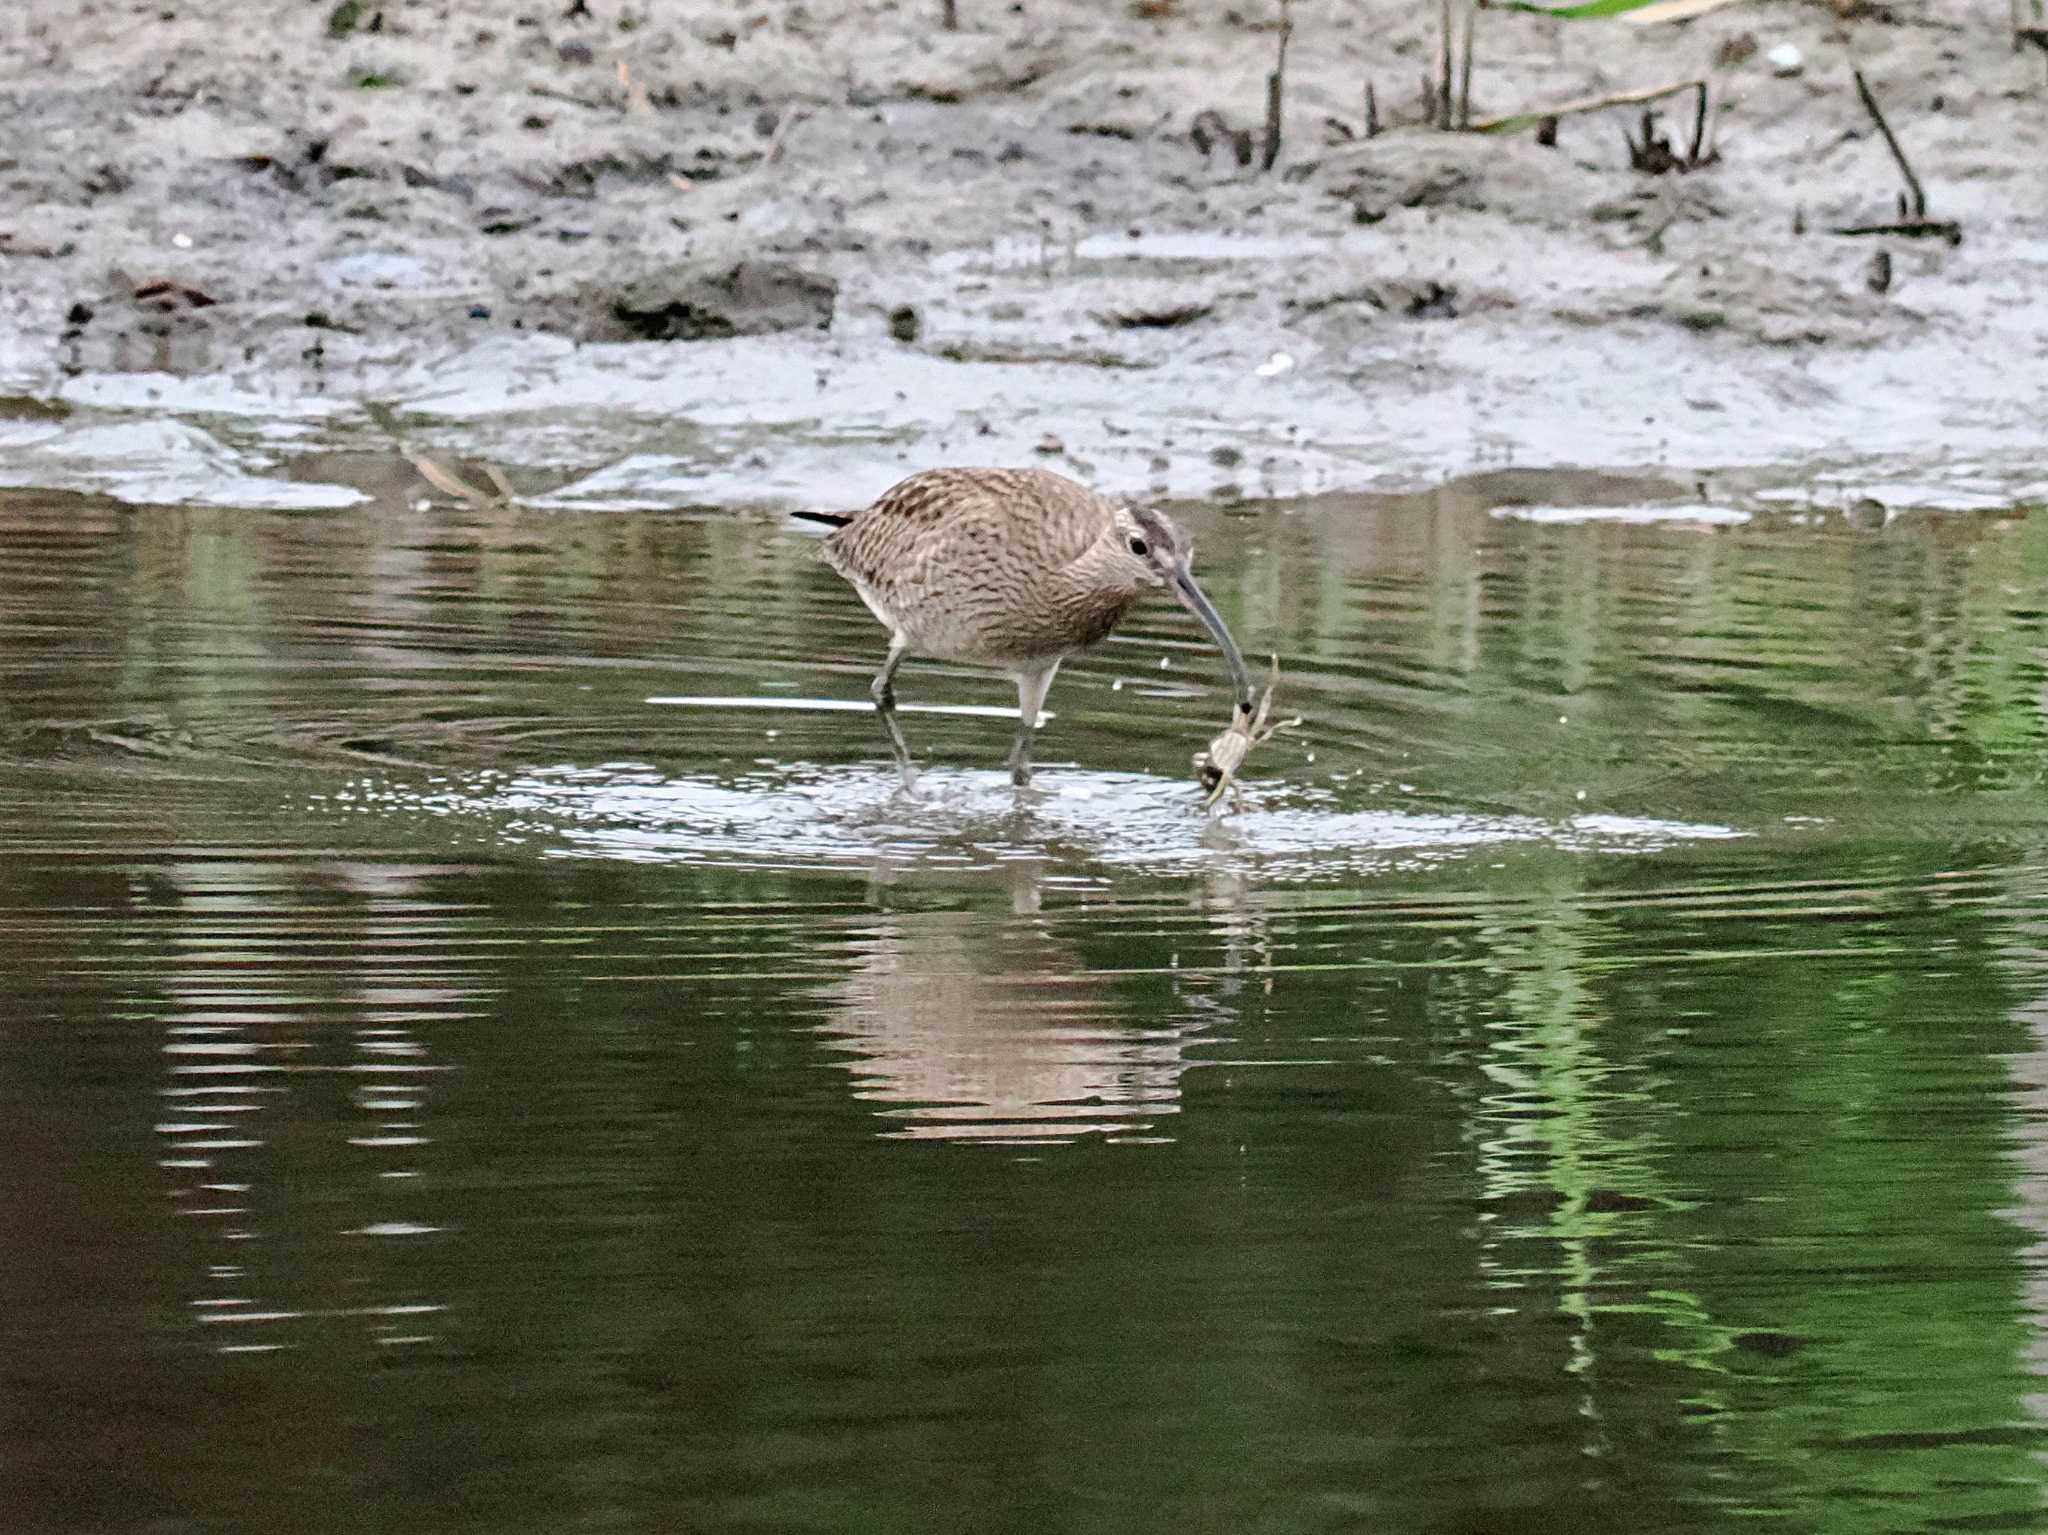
(802,816)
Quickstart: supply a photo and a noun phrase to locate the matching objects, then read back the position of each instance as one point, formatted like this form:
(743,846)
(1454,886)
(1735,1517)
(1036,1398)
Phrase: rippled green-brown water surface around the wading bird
(1592,1084)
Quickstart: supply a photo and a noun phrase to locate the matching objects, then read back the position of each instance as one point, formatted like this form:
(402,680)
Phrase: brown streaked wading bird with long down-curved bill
(1013,570)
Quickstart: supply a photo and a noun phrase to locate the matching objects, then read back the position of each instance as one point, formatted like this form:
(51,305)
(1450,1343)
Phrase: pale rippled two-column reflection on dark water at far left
(300,996)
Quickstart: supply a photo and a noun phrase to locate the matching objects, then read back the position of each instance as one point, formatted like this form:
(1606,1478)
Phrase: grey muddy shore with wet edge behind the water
(871,245)
